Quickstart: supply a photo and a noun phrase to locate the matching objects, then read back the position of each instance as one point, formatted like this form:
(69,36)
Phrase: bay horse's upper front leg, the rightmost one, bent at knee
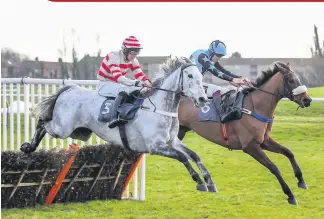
(273,146)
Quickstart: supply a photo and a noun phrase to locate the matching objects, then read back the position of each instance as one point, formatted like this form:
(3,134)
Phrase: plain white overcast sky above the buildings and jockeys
(256,30)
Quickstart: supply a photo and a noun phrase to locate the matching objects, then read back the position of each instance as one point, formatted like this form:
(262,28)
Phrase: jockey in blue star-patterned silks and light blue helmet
(208,61)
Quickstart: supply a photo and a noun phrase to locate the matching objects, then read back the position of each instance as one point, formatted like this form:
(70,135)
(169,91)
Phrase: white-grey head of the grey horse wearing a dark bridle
(191,83)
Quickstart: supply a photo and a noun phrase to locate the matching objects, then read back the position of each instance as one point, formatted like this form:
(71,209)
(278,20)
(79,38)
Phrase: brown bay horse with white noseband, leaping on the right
(251,132)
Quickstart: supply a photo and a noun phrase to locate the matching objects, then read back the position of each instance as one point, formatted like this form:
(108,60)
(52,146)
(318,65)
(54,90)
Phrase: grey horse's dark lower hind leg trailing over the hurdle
(37,138)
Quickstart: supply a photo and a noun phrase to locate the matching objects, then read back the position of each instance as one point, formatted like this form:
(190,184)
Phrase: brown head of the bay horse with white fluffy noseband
(291,86)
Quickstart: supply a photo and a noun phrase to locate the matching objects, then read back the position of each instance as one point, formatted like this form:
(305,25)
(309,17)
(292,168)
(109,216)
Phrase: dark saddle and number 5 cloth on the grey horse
(127,109)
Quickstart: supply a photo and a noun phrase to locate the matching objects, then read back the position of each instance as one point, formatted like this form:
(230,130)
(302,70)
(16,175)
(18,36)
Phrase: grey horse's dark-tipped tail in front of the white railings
(44,110)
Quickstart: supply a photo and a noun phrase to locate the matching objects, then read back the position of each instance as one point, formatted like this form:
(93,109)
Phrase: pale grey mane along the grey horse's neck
(167,68)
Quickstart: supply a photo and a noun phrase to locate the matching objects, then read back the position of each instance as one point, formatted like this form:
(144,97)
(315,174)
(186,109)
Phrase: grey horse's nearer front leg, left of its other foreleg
(167,151)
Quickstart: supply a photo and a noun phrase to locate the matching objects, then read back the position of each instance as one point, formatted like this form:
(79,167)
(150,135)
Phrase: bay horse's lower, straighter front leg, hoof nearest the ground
(257,153)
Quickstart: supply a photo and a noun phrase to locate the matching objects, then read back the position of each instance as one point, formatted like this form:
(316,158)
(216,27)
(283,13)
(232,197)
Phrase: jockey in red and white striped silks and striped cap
(112,73)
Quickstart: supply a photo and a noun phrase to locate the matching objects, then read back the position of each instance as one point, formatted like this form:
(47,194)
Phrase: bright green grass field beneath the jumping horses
(246,189)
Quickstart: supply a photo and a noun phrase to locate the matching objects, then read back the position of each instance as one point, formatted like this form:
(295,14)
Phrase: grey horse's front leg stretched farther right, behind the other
(194,156)
